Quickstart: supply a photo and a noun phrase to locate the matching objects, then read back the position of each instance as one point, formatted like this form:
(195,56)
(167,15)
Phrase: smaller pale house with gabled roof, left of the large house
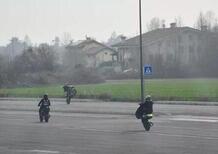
(92,54)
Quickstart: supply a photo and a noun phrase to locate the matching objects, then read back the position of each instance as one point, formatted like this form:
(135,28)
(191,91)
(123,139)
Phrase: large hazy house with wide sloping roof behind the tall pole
(164,47)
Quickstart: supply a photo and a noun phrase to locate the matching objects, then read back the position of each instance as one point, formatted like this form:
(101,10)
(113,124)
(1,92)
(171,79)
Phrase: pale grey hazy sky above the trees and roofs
(42,20)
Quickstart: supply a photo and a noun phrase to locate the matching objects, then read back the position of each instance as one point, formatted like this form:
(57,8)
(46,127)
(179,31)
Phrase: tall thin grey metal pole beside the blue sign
(141,55)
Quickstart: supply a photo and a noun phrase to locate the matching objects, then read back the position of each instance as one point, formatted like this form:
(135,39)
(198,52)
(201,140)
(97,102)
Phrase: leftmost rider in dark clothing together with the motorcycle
(44,109)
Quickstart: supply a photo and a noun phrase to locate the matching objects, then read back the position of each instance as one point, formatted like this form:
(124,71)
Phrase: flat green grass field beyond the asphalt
(129,90)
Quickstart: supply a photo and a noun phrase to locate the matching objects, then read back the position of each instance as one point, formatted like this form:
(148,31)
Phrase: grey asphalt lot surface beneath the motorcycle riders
(107,128)
